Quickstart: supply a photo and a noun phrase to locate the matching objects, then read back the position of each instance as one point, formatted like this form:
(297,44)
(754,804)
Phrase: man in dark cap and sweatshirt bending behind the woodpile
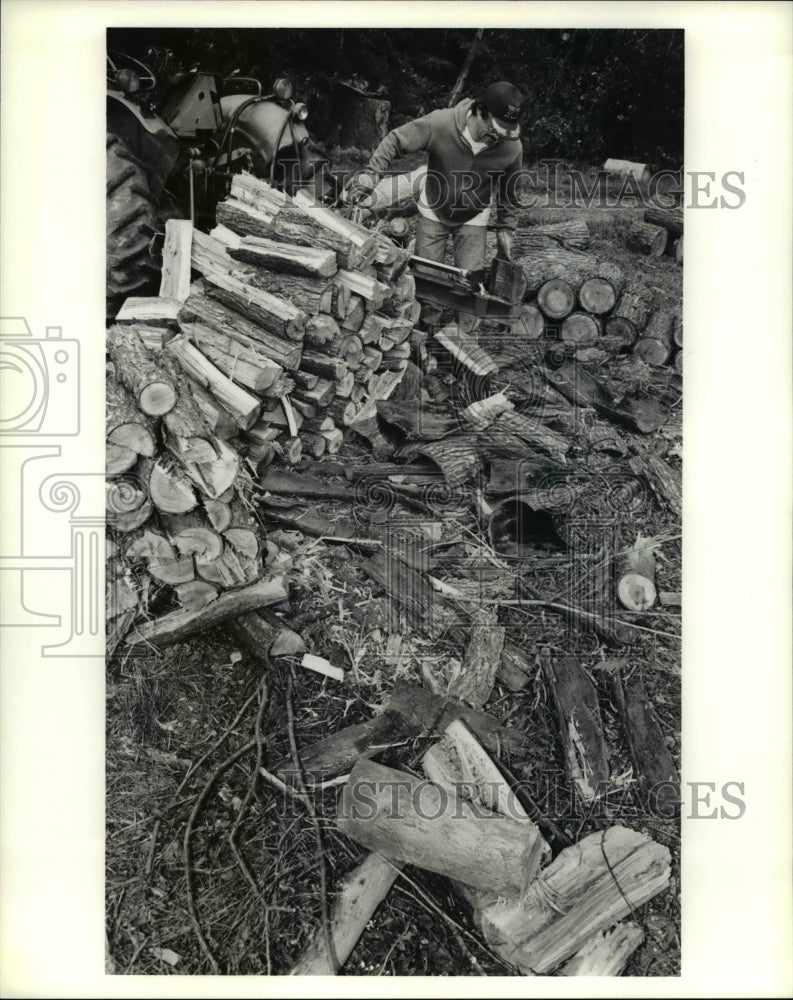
(474,152)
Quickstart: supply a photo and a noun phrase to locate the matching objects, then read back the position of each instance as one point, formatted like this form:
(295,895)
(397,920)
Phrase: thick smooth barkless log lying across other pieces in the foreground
(471,845)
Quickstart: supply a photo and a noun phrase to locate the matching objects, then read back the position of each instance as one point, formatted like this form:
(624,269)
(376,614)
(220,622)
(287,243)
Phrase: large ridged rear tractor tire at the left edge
(130,225)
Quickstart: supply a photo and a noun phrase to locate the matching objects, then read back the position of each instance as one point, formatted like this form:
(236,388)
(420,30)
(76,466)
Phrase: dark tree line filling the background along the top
(595,93)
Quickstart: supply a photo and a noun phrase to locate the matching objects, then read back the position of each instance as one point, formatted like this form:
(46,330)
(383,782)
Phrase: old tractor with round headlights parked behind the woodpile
(174,140)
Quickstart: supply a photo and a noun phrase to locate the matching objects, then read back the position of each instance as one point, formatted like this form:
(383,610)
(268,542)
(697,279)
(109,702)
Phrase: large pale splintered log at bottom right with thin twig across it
(586,889)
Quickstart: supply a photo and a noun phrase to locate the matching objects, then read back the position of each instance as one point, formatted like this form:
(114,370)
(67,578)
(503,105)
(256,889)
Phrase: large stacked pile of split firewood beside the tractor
(270,336)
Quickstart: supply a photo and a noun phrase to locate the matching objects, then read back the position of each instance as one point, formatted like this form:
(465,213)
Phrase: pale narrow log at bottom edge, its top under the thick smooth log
(360,894)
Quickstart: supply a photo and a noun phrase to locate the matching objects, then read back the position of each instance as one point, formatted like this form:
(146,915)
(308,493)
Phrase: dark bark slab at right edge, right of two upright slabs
(652,761)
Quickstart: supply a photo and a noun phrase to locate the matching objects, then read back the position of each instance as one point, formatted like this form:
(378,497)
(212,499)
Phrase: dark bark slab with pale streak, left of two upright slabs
(580,727)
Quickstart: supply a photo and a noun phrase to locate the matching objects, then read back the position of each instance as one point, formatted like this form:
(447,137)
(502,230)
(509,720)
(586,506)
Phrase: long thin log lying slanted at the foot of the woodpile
(179,625)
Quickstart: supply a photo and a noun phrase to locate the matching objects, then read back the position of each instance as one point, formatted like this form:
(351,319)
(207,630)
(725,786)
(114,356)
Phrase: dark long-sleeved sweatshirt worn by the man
(459,183)
